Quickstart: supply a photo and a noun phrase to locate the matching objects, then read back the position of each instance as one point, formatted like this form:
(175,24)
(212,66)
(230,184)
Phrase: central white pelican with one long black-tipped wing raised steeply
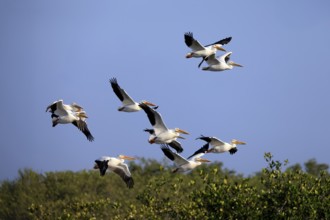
(161,133)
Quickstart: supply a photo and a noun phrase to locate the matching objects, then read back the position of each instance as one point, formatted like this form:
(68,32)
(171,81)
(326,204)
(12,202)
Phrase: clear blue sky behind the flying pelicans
(278,102)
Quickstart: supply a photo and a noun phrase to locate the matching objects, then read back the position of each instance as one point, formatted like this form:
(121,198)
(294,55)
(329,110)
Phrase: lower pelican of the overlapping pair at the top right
(220,63)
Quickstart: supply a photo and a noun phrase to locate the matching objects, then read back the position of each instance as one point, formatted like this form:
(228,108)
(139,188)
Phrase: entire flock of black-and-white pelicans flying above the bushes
(159,134)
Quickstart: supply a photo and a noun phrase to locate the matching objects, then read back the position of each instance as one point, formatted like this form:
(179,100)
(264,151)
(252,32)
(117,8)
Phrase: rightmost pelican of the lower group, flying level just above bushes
(219,146)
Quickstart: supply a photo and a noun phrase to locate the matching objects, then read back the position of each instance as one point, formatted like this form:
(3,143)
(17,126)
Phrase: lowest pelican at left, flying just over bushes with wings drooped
(117,165)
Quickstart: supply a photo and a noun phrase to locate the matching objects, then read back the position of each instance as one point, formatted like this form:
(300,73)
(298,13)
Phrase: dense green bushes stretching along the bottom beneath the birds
(208,192)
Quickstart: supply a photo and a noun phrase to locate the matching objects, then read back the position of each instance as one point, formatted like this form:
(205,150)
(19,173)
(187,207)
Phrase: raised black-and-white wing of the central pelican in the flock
(155,119)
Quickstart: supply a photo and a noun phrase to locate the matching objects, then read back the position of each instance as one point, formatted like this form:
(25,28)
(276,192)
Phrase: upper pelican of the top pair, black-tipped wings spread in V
(198,50)
